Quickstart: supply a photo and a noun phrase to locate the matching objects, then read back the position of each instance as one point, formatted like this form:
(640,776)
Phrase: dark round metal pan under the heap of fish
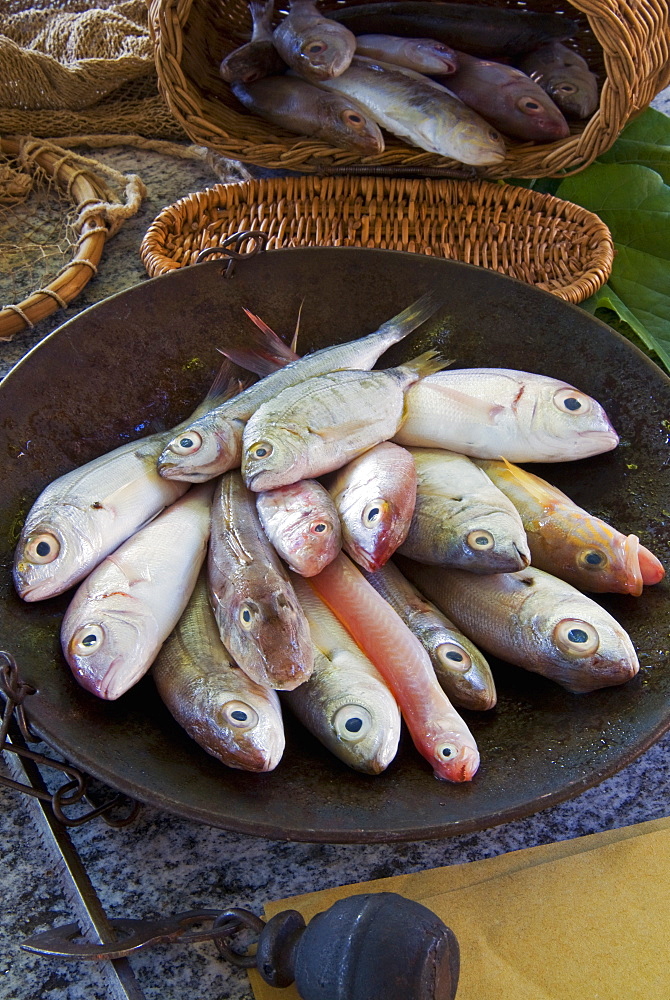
(139,361)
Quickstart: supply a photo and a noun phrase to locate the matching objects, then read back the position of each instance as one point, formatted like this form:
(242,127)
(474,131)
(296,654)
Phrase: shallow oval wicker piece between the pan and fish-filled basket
(534,237)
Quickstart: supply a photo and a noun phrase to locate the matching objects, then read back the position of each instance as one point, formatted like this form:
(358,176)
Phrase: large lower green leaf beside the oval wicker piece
(634,203)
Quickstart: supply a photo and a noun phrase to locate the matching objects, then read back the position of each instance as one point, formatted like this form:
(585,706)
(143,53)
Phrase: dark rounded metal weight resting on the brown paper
(366,947)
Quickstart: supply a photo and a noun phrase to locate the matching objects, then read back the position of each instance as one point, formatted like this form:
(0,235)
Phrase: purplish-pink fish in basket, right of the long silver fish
(508,99)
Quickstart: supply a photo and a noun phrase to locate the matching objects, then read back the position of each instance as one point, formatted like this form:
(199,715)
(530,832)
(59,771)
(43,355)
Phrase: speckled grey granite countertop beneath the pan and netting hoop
(163,864)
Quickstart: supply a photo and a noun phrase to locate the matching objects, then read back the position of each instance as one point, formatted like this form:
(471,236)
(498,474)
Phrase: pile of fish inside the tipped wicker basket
(439,75)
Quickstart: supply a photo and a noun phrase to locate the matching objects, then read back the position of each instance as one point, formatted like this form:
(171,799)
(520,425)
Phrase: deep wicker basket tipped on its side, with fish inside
(626,43)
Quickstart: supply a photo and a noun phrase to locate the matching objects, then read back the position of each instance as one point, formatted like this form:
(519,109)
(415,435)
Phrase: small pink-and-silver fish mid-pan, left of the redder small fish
(302,523)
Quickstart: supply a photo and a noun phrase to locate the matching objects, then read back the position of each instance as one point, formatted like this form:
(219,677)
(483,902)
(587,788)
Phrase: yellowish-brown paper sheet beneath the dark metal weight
(585,919)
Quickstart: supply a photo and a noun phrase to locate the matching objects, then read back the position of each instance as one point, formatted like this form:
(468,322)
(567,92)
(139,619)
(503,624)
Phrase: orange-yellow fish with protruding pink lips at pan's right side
(569,542)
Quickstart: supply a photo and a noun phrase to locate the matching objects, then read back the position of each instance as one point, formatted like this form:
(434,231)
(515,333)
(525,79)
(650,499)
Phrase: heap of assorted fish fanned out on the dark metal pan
(272,572)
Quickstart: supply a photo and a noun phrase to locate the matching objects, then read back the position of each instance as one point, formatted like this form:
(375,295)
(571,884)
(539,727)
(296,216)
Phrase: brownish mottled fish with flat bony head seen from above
(257,612)
